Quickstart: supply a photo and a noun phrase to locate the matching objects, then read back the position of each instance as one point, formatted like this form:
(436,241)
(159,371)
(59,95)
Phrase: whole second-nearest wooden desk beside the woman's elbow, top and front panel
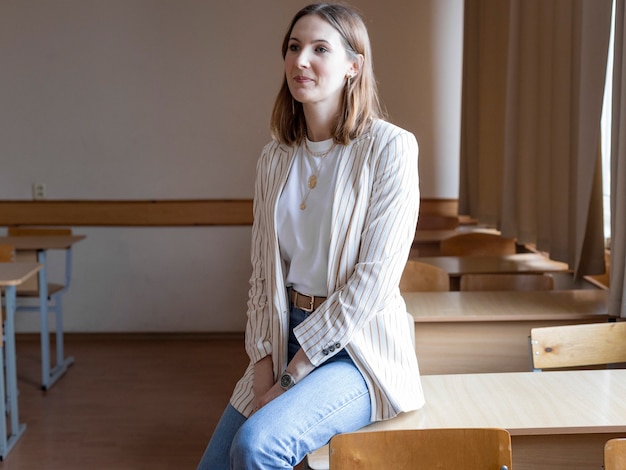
(470,332)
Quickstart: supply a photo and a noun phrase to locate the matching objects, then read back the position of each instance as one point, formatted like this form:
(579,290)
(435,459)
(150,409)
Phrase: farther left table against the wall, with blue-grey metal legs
(40,244)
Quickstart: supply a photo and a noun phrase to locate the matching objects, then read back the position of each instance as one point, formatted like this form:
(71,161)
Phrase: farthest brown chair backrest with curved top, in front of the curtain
(477,244)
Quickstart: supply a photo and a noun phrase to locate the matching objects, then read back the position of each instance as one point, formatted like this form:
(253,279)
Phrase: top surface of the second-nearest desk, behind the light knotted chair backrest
(506,305)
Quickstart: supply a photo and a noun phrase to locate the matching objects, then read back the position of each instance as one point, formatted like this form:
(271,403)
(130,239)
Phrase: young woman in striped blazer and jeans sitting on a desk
(335,210)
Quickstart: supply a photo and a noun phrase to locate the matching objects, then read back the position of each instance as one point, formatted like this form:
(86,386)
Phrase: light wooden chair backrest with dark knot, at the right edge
(578,345)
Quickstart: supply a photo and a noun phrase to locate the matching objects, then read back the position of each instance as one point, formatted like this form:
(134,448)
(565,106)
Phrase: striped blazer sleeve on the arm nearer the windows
(386,222)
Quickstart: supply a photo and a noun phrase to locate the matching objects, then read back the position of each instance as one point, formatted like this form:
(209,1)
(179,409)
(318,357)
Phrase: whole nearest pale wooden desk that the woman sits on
(557,420)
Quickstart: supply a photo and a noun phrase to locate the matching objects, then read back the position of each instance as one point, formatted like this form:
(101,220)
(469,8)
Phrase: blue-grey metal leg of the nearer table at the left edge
(9,440)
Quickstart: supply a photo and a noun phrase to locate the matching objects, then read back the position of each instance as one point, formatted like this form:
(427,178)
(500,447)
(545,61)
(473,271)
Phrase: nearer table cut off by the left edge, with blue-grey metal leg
(11,275)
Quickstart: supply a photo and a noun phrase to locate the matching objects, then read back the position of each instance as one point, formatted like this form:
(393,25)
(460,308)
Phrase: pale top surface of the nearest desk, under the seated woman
(525,403)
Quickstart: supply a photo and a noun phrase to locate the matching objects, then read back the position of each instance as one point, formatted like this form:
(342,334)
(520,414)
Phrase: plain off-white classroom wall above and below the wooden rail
(156,99)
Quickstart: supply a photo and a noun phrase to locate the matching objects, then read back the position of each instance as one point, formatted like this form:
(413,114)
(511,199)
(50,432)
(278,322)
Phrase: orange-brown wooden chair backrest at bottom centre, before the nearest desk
(422,449)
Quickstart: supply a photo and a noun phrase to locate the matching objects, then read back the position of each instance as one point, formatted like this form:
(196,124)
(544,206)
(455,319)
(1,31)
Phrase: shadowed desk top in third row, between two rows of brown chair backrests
(456,266)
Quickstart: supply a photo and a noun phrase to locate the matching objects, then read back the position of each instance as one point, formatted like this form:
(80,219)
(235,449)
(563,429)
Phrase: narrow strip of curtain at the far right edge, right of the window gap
(617,301)
